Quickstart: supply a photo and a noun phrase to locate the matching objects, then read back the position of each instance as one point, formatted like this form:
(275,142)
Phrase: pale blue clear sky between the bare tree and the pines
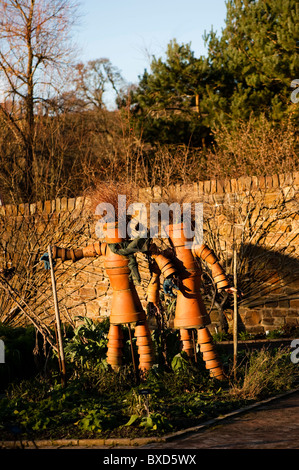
(130,32)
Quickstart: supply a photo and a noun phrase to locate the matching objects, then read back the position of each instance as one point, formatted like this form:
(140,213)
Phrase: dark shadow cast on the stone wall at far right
(268,279)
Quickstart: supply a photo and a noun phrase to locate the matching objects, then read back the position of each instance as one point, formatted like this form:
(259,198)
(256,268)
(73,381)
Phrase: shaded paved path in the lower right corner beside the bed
(274,425)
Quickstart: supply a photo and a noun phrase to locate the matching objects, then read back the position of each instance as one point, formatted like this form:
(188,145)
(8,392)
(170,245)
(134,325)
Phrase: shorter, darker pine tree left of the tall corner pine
(167,98)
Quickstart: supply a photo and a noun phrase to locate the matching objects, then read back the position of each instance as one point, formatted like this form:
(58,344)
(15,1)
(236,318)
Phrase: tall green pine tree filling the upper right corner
(254,61)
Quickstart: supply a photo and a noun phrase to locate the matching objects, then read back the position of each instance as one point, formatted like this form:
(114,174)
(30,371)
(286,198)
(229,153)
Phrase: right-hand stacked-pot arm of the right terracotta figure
(206,254)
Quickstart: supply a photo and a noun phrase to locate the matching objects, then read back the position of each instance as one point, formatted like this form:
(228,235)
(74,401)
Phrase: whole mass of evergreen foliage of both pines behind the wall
(247,72)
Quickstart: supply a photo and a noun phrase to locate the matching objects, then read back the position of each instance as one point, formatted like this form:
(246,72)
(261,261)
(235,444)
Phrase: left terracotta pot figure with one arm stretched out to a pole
(126,307)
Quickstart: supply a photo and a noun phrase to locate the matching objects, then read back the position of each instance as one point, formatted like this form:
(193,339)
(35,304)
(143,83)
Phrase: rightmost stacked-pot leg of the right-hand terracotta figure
(209,353)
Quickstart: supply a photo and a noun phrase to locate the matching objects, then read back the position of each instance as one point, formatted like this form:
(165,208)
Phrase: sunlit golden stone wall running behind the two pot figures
(258,216)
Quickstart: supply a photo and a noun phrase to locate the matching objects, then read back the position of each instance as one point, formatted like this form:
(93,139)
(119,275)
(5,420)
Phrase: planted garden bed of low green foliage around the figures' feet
(100,403)
